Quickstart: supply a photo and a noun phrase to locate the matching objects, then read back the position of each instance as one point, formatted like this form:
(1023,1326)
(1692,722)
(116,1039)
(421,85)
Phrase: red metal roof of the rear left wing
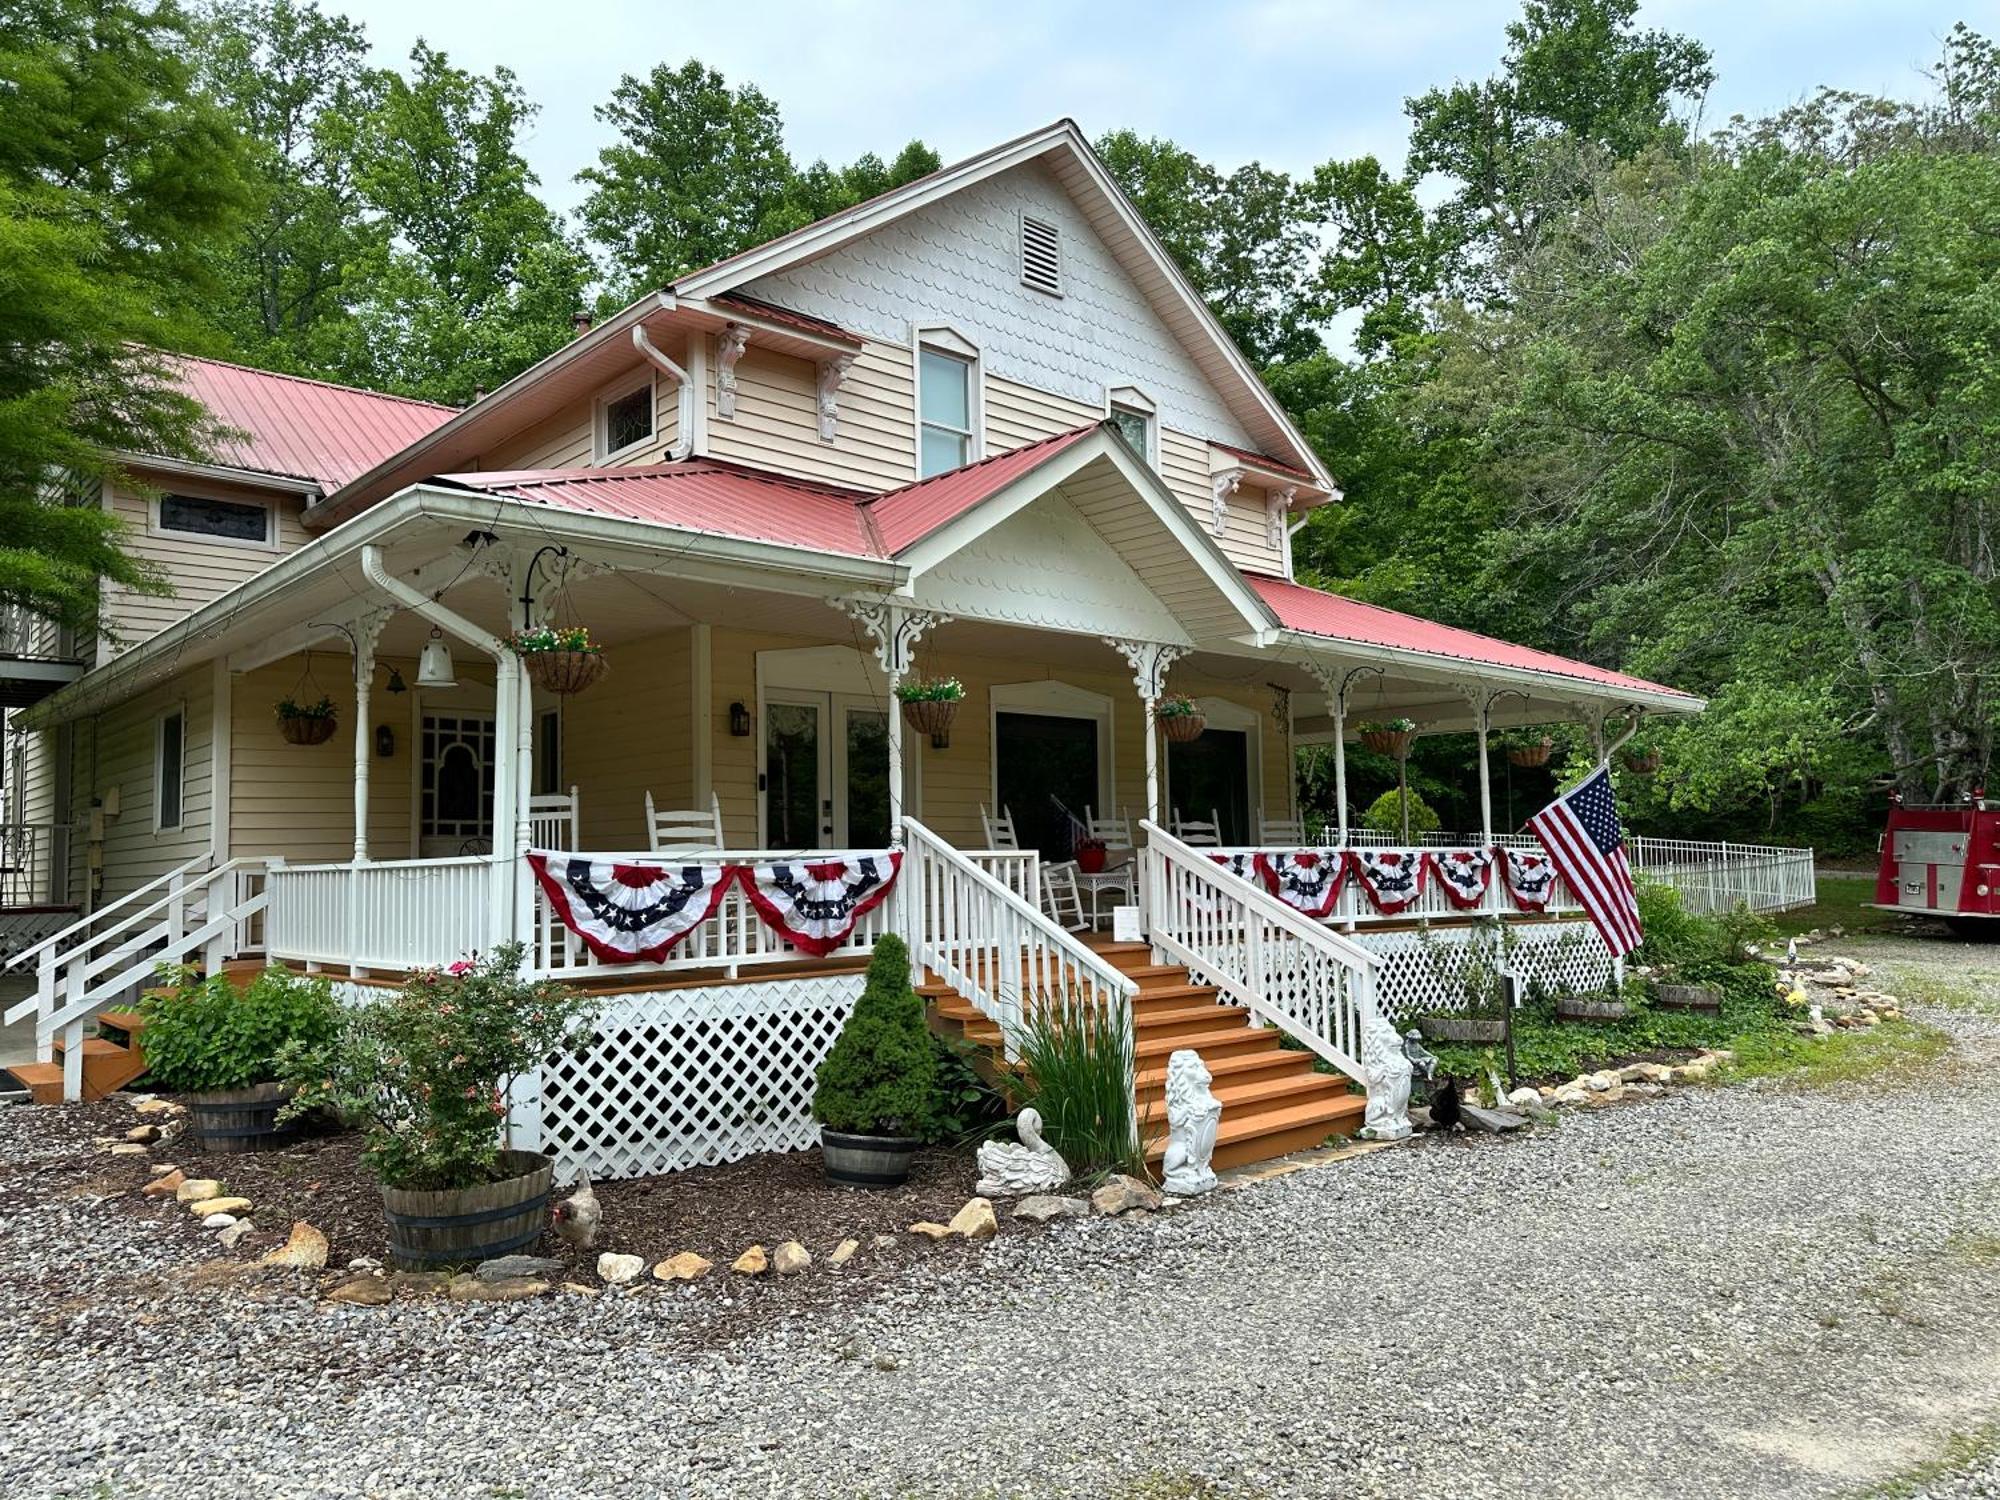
(303,429)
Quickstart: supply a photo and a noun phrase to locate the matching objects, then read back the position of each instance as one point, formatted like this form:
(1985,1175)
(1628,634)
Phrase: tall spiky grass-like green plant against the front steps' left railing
(1077,1069)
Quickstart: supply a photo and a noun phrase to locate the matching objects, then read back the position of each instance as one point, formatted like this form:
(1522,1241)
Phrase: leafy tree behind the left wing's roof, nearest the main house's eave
(479,279)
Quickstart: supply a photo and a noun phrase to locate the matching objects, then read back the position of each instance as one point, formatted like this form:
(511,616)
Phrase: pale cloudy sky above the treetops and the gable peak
(1289,83)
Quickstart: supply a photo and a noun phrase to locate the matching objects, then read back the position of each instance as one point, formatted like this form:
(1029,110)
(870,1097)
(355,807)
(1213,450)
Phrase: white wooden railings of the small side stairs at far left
(97,963)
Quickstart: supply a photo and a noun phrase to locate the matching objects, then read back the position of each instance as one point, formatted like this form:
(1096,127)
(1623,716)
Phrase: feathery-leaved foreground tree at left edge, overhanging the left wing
(119,185)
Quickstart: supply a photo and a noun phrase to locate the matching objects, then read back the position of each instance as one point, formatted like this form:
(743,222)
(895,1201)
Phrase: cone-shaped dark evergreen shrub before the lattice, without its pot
(881,1077)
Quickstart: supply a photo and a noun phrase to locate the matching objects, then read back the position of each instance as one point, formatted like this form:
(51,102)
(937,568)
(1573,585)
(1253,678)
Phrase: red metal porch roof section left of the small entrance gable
(701,495)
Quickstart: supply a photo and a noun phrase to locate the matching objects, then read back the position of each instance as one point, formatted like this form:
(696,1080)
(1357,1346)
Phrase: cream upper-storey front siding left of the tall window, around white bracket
(777,419)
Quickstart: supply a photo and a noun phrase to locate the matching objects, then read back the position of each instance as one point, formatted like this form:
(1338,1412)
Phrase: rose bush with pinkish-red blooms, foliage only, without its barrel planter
(425,1071)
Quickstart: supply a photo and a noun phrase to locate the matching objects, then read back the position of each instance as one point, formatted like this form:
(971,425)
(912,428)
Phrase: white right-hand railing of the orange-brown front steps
(1289,971)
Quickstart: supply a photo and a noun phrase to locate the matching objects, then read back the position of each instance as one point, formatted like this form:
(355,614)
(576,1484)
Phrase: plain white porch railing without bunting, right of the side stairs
(381,913)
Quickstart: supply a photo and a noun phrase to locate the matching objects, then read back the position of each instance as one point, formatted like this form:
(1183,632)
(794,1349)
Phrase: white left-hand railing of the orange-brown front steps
(991,943)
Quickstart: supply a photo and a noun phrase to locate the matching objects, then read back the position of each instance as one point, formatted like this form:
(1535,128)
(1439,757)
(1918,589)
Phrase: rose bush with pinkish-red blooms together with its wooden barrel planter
(427,1071)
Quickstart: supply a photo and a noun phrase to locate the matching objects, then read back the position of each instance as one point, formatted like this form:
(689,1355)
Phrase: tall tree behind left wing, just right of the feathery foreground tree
(297,85)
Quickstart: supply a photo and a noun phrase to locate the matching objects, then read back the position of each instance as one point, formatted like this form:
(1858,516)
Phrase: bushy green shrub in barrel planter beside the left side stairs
(221,1047)
